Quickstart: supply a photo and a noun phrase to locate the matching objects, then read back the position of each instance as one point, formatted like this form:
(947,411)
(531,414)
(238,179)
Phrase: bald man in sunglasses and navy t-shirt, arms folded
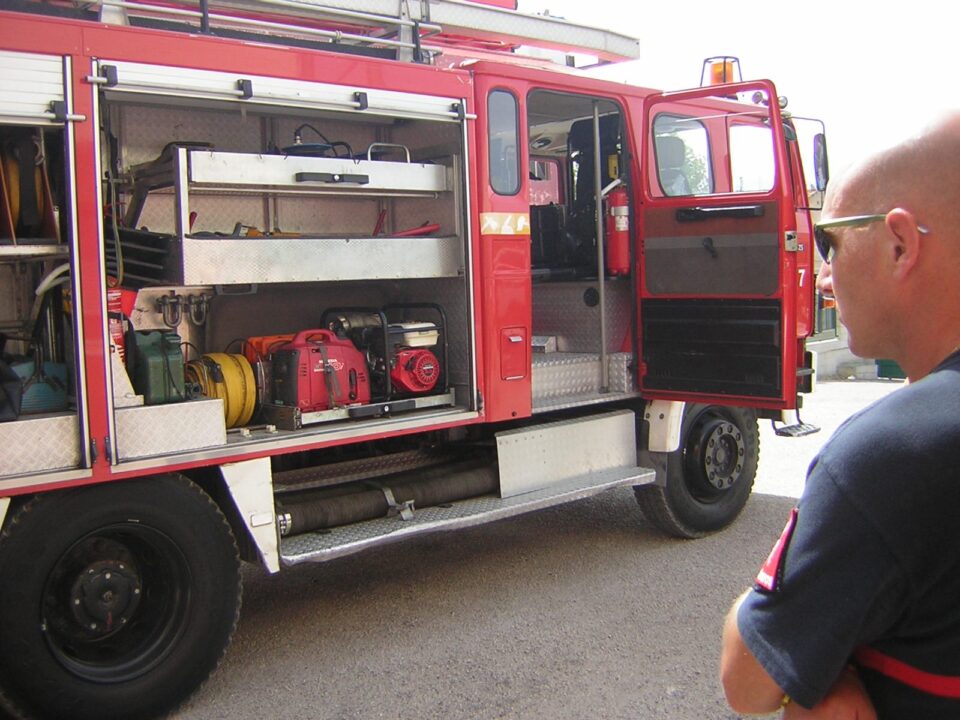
(856,612)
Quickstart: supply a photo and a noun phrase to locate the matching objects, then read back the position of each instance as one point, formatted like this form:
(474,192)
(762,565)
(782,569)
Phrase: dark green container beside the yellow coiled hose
(157,372)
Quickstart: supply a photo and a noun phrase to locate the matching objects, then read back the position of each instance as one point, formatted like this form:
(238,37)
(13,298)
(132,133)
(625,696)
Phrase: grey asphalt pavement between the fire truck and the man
(577,612)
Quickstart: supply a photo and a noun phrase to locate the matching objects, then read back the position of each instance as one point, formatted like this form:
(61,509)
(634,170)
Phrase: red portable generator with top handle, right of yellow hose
(316,371)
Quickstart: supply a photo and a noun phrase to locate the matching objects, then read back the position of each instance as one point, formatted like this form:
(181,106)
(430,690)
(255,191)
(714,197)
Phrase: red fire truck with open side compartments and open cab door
(282,281)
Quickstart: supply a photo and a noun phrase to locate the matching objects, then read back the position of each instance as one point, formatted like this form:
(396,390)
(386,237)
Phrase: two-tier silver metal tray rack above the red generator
(186,259)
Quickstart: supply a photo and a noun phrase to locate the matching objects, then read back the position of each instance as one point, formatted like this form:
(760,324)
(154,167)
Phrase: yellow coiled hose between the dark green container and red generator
(230,378)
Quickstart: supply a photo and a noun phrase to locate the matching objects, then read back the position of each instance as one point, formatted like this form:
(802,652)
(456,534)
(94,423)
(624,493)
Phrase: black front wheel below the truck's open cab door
(709,479)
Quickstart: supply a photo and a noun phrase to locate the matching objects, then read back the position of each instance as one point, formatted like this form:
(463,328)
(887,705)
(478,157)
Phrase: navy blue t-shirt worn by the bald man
(874,557)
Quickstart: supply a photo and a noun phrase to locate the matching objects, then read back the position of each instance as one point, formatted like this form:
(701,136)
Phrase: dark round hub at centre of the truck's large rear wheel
(105,596)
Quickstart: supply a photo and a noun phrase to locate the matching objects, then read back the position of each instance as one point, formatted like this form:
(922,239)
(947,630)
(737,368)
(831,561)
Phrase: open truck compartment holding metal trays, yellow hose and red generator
(238,227)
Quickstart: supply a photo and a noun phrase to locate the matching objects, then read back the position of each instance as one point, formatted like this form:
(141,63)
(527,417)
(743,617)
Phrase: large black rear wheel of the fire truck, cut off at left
(117,601)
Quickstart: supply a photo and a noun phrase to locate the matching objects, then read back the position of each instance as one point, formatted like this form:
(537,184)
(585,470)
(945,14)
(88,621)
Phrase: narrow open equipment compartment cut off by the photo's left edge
(41,403)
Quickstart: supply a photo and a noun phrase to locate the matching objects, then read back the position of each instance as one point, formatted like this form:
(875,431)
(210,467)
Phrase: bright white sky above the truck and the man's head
(873,71)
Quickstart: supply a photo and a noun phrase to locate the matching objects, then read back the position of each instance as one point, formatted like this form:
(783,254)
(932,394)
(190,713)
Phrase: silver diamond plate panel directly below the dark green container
(162,429)
